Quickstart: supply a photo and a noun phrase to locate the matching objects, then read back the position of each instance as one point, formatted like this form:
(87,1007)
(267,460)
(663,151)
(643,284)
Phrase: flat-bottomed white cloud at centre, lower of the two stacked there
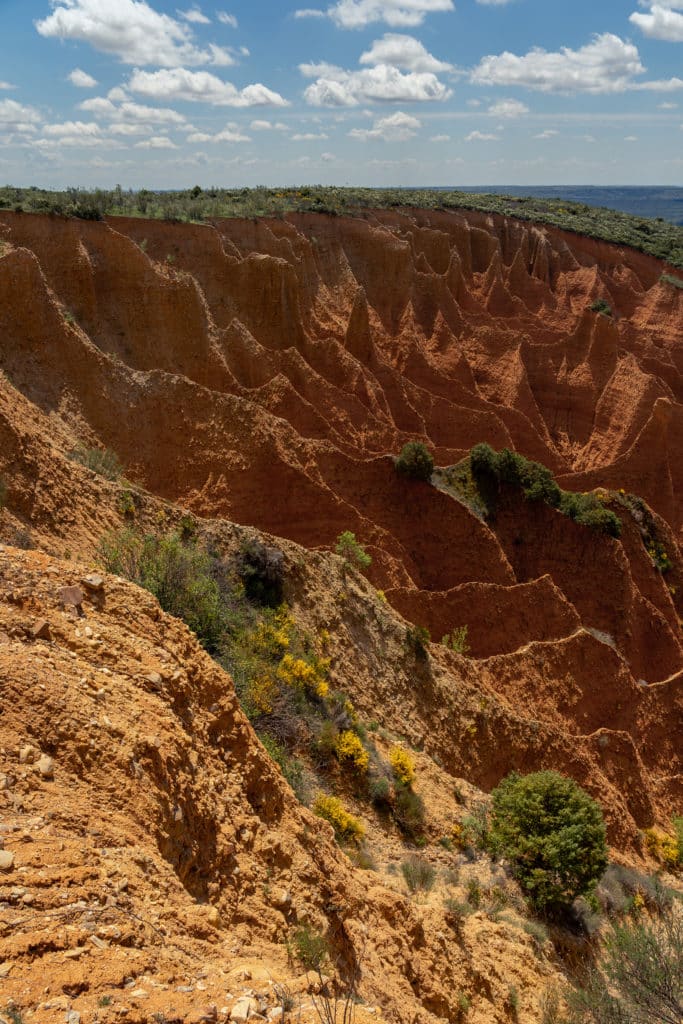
(337,88)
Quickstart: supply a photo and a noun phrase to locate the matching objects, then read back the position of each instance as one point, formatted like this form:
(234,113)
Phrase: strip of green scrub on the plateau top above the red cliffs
(656,237)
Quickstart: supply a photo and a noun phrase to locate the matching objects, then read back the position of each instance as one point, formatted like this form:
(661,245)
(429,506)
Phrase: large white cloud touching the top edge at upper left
(132,31)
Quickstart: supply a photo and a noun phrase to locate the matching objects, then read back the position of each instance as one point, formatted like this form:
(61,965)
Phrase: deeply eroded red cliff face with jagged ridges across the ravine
(269,371)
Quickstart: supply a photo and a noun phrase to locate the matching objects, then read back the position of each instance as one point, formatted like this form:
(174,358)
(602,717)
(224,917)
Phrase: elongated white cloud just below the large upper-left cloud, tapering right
(201,87)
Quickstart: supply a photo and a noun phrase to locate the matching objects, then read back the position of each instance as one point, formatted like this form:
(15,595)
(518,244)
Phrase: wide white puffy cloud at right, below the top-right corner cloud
(606,65)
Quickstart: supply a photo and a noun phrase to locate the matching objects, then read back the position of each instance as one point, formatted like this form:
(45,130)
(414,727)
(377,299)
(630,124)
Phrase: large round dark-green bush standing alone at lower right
(553,834)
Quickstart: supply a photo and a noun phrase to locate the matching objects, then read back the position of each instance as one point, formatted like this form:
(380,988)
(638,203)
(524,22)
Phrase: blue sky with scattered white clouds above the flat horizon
(149,94)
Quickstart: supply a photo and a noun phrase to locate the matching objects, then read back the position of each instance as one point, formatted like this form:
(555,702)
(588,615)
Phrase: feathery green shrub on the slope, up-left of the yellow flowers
(182,576)
